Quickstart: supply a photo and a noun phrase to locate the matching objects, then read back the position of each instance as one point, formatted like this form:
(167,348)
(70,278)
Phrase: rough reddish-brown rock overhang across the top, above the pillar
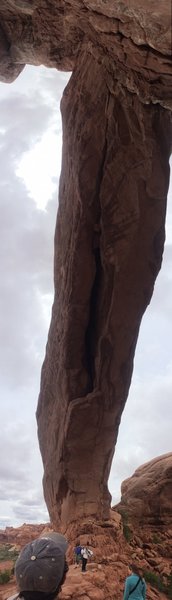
(132,38)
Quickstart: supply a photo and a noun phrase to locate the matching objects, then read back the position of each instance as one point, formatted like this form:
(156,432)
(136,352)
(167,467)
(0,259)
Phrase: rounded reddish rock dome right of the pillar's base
(147,495)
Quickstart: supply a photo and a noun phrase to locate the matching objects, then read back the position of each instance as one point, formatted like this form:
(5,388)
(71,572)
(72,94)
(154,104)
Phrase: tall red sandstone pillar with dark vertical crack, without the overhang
(108,249)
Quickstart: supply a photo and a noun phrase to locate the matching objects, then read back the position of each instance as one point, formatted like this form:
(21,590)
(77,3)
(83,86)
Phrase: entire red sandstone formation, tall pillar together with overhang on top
(110,228)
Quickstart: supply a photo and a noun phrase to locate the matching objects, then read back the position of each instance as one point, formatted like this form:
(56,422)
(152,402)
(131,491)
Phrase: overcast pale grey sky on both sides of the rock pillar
(30,159)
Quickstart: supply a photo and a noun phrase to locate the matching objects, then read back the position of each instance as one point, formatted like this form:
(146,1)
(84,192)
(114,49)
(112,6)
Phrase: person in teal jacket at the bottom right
(135,587)
